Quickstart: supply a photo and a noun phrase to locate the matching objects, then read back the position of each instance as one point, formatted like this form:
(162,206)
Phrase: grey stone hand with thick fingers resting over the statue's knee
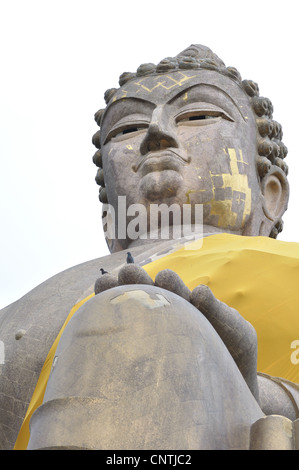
(238,335)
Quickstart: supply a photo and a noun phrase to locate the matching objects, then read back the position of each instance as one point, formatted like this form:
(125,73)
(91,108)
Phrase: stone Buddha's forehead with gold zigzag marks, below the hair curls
(162,88)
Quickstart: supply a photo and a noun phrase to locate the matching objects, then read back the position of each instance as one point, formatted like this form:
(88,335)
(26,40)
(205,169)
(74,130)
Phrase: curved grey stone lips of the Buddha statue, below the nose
(161,158)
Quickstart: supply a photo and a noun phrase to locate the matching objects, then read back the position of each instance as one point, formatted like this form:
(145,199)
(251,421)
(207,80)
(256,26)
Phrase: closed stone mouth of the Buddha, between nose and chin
(159,161)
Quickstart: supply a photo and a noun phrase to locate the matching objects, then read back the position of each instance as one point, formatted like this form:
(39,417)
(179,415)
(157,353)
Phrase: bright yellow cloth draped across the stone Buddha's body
(257,276)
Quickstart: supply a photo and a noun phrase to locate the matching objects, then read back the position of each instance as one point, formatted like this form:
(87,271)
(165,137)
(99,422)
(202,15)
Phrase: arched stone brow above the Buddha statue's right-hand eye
(204,95)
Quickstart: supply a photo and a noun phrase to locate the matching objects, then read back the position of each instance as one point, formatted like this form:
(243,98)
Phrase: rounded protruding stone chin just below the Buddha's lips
(160,186)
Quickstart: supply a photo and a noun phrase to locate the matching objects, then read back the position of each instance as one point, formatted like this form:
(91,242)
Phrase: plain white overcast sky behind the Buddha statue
(58,57)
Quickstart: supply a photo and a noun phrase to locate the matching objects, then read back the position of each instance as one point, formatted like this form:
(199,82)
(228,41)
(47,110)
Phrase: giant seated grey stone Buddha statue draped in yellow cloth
(190,346)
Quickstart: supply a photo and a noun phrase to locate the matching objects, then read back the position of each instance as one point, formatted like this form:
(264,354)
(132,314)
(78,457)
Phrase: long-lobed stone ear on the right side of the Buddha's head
(275,196)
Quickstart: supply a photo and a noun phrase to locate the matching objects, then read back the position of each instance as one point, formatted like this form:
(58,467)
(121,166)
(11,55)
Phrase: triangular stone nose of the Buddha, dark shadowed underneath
(159,135)
